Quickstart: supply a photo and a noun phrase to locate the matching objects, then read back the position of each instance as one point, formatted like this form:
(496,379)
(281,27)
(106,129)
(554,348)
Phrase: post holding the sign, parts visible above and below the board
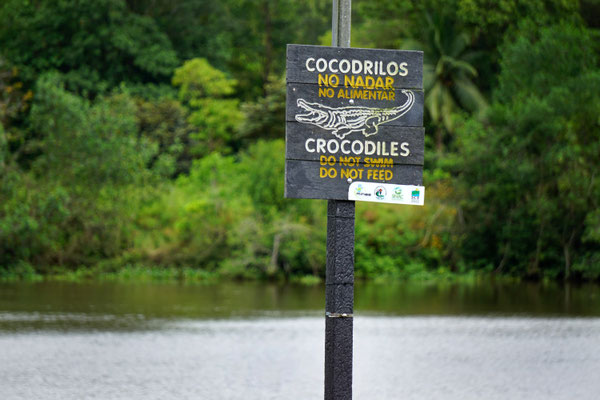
(339,281)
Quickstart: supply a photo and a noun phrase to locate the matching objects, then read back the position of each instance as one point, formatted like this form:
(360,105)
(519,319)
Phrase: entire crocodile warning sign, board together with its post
(354,132)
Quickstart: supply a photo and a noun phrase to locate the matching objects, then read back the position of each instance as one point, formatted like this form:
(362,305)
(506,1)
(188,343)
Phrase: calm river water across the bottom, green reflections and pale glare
(260,341)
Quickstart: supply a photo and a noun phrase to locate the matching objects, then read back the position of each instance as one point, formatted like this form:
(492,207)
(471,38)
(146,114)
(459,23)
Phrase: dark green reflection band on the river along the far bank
(111,306)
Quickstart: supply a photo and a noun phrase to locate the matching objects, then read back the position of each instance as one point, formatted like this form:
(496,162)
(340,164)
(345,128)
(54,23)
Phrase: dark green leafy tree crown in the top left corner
(95,44)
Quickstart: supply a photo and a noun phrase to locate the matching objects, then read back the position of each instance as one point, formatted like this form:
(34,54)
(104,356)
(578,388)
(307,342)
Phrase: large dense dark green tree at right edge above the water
(528,180)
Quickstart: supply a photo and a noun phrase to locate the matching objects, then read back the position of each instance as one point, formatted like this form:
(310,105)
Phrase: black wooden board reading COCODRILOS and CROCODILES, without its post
(354,124)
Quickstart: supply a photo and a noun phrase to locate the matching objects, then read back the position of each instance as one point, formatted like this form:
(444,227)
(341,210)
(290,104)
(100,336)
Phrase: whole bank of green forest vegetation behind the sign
(144,140)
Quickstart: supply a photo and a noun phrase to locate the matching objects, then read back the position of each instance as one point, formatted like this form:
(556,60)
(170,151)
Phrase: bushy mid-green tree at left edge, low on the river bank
(76,204)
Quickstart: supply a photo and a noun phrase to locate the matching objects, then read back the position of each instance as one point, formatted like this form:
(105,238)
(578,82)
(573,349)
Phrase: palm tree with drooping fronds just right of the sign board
(448,74)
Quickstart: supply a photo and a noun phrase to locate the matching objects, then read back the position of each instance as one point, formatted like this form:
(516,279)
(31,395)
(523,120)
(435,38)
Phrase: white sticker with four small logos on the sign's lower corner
(387,193)
